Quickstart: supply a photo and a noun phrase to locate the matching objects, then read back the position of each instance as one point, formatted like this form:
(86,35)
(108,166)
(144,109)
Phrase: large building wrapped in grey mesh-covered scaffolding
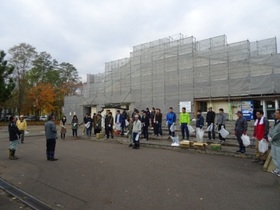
(168,71)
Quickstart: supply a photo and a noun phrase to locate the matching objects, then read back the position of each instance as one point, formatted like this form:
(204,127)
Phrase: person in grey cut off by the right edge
(274,138)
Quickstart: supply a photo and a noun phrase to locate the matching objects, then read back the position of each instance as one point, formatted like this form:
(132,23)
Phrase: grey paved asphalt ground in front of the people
(107,175)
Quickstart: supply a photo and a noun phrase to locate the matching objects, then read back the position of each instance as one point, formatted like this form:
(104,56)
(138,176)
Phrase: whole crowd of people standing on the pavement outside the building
(137,124)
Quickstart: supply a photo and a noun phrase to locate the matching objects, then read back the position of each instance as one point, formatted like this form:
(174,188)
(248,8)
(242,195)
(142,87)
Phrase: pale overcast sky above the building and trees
(90,33)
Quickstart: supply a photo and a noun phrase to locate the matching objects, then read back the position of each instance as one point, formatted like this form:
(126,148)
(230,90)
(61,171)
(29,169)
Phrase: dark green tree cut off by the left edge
(7,83)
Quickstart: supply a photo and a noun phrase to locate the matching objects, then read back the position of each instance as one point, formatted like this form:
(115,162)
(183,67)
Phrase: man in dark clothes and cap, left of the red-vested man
(240,129)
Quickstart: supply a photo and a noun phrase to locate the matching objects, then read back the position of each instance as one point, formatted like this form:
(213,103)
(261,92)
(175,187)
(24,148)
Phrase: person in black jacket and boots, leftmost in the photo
(14,135)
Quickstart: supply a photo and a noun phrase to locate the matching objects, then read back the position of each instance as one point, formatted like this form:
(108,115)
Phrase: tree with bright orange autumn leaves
(42,97)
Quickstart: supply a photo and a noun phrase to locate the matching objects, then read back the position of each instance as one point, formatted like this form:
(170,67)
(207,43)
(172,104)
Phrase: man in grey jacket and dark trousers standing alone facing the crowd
(51,136)
